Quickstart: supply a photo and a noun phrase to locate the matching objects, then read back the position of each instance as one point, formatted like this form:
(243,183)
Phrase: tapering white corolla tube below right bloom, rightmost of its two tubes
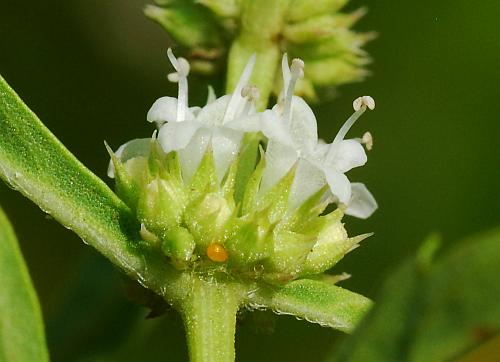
(309,179)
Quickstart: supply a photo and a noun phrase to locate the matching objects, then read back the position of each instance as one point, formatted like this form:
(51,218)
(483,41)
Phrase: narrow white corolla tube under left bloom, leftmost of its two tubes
(191,156)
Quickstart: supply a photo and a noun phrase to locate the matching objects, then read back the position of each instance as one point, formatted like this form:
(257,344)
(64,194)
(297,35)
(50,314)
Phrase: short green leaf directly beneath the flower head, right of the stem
(317,302)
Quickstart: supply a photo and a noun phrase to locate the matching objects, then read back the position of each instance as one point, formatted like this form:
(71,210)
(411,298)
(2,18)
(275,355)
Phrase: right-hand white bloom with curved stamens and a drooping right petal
(292,131)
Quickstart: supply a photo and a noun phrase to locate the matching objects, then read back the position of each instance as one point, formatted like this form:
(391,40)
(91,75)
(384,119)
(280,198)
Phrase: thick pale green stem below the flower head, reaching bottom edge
(209,313)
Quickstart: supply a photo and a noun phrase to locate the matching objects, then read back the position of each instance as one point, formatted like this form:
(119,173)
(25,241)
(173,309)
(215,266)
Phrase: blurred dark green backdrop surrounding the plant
(90,69)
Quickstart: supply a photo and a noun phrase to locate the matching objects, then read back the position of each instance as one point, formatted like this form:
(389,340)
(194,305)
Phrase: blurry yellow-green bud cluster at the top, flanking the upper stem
(316,31)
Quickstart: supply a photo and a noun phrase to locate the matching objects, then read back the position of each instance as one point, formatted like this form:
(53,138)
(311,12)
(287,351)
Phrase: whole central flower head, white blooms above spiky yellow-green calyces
(224,188)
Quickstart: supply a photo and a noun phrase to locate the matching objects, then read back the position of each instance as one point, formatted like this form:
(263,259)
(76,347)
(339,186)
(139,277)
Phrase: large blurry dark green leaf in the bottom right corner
(434,311)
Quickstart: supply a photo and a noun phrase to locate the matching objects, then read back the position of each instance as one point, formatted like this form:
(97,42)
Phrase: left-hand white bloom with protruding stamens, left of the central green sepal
(190,130)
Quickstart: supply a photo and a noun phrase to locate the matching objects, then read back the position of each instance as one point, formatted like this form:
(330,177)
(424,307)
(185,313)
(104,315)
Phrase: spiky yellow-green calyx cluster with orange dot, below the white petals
(229,227)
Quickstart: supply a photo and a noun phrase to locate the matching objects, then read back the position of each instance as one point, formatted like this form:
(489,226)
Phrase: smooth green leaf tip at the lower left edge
(22,336)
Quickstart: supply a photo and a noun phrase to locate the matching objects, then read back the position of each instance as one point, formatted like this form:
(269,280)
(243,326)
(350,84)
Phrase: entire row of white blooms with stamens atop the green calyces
(291,131)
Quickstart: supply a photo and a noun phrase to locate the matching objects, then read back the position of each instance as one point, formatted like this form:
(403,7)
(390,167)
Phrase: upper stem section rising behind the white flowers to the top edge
(261,25)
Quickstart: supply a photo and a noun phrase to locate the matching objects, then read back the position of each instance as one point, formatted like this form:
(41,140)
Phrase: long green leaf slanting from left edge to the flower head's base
(34,162)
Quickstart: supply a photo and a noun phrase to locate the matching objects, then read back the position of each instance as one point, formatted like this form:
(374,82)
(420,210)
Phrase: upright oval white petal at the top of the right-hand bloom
(303,126)
